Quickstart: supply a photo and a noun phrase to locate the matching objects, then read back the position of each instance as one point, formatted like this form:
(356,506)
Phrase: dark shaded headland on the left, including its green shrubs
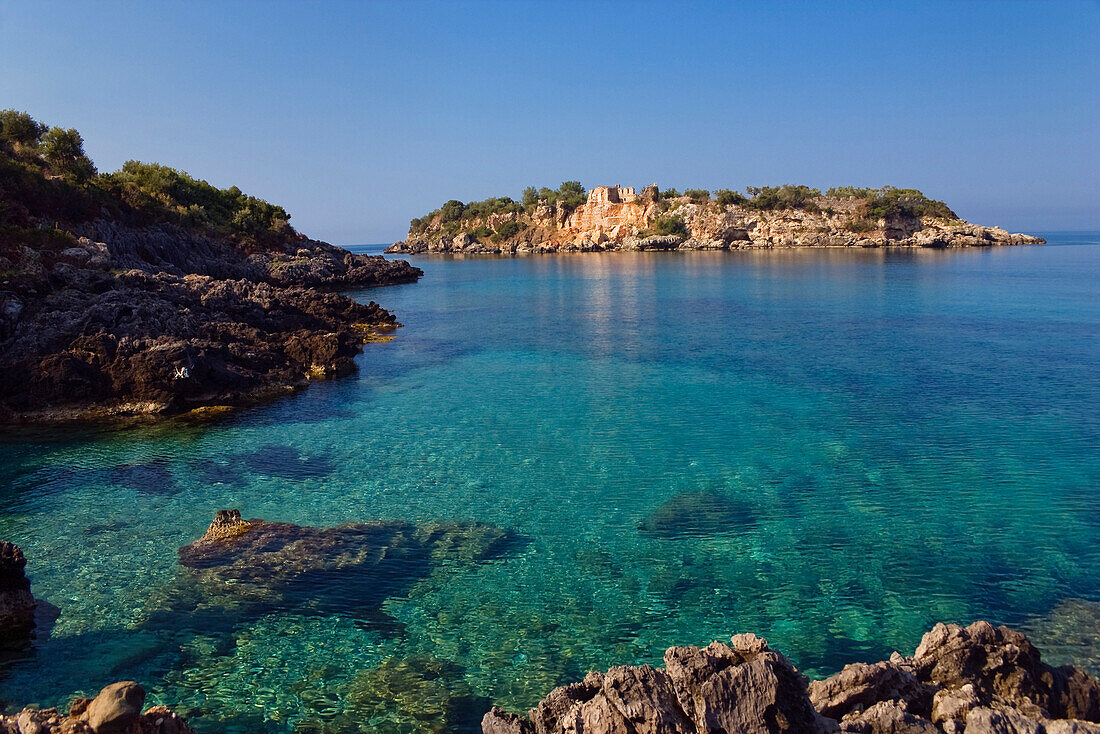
(148,292)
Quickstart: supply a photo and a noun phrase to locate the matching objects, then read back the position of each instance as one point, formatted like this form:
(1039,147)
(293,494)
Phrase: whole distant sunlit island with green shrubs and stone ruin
(570,220)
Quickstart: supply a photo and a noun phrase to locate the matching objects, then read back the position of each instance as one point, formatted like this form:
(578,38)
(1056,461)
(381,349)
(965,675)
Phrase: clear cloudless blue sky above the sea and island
(359,116)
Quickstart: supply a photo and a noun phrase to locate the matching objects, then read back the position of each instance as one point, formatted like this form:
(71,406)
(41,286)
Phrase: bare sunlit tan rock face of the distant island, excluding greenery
(611,223)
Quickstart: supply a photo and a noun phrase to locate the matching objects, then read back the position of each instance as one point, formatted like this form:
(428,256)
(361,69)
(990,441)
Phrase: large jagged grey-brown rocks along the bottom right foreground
(961,681)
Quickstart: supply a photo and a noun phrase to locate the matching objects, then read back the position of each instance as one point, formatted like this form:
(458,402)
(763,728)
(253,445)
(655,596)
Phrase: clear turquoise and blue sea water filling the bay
(832,450)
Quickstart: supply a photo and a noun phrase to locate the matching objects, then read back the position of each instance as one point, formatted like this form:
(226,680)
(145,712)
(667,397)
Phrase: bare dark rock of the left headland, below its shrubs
(162,321)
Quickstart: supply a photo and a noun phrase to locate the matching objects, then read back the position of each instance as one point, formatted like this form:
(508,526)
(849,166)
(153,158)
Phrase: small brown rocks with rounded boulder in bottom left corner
(117,710)
